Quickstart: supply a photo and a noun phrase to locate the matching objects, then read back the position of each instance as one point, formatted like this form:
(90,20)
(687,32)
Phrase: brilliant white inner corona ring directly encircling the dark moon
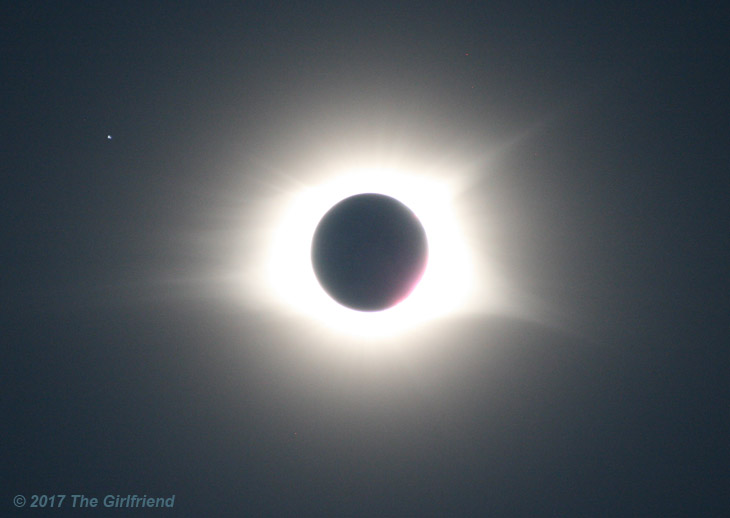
(444,289)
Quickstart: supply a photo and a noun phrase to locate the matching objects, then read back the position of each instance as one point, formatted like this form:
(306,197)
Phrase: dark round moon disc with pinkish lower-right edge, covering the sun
(369,251)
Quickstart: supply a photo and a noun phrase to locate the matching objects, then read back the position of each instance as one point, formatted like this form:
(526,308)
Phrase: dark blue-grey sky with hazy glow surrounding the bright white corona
(607,124)
